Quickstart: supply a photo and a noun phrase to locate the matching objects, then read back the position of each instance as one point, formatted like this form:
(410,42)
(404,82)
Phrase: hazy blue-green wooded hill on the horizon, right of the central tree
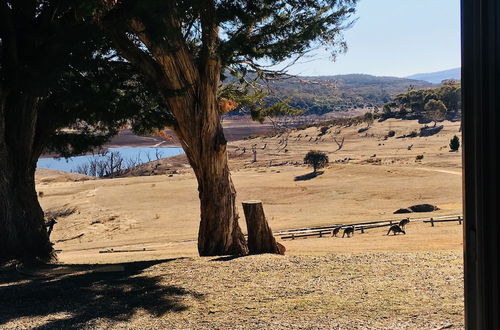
(322,94)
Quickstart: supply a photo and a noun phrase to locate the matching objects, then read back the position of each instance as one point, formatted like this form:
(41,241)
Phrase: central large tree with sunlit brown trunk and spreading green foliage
(184,47)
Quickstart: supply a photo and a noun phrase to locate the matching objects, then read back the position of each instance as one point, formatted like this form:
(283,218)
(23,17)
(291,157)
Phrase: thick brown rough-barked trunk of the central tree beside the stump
(205,147)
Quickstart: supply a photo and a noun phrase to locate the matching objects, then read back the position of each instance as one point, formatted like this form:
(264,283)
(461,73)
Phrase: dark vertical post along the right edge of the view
(481,133)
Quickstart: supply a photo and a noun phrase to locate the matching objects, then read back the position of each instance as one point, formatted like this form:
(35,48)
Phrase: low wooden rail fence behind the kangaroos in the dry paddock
(360,226)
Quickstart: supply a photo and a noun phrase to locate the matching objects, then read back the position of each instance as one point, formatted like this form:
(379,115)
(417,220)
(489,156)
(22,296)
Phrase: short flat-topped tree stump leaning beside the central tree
(260,236)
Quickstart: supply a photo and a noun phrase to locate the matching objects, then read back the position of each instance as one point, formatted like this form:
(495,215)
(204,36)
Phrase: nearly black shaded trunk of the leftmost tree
(22,229)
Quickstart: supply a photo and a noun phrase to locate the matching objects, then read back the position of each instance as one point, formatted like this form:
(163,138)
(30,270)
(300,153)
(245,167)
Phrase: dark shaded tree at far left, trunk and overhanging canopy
(56,72)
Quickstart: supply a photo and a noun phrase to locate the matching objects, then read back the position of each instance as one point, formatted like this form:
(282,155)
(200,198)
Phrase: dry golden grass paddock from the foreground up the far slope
(369,281)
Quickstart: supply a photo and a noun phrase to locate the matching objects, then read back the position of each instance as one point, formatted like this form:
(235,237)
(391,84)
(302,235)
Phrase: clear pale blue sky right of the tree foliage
(395,38)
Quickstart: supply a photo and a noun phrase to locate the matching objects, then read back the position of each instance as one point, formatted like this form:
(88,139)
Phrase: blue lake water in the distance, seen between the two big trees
(139,155)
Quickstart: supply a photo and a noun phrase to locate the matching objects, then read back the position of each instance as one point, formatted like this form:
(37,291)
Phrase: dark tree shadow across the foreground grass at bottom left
(87,295)
